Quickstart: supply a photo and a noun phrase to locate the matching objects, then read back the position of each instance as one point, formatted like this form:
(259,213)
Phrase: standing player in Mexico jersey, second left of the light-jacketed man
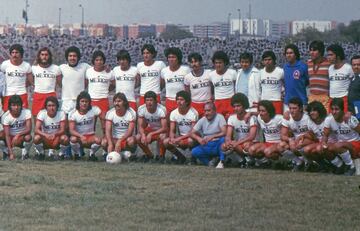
(197,82)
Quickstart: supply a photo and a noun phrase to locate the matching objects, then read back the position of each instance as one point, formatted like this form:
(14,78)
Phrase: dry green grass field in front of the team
(68,195)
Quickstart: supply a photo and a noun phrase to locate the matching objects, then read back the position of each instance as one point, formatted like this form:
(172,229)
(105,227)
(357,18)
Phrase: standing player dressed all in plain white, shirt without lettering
(73,78)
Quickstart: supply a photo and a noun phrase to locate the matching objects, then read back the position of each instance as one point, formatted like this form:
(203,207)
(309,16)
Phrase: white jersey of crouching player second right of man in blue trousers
(271,129)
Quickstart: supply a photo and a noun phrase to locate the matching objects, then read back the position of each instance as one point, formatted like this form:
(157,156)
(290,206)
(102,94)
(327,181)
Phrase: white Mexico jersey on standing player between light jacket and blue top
(271,84)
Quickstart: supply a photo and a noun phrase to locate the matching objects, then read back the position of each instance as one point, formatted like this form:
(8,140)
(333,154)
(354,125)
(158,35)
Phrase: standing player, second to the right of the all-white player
(126,78)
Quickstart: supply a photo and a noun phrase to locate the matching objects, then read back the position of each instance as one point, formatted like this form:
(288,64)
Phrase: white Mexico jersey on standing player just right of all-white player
(98,83)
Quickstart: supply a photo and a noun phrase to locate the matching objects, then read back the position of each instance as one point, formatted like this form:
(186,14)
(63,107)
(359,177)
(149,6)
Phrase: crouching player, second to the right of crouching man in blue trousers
(270,123)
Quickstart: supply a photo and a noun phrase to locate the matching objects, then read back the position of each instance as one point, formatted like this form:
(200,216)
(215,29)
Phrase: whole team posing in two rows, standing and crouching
(302,116)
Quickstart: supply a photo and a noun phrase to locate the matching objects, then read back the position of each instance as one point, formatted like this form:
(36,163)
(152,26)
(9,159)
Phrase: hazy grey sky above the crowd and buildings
(176,11)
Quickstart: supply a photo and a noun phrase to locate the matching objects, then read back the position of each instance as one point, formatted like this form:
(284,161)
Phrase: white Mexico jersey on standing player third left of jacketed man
(174,80)
